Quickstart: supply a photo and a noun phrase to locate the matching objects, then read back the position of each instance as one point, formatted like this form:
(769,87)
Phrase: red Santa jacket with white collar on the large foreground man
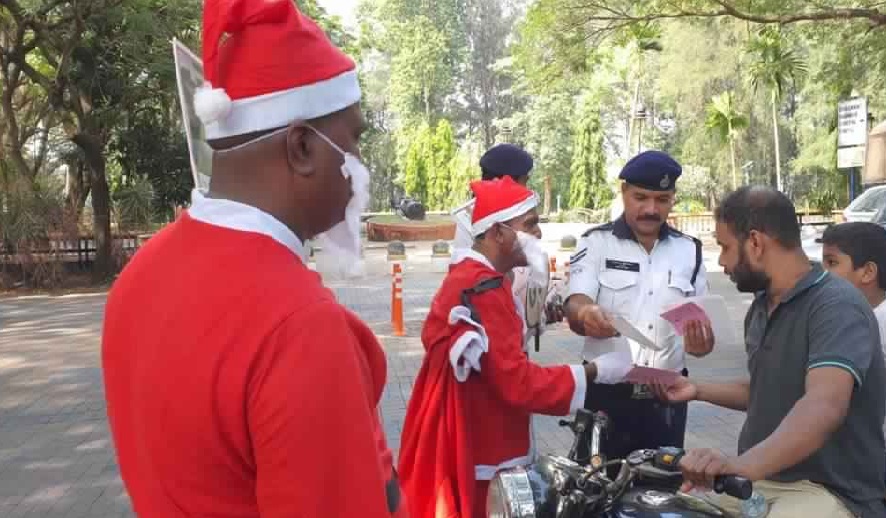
(236,384)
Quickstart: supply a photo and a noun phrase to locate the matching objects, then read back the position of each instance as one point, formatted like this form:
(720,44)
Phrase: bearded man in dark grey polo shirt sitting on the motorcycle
(813,441)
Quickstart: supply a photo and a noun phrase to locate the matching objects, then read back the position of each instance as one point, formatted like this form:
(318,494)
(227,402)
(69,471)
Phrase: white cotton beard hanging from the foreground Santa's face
(342,243)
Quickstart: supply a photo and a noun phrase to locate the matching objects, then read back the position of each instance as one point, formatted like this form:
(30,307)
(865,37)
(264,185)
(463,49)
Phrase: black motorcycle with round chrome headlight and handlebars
(644,485)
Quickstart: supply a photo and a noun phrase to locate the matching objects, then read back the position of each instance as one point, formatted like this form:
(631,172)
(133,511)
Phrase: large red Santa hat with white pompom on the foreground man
(265,65)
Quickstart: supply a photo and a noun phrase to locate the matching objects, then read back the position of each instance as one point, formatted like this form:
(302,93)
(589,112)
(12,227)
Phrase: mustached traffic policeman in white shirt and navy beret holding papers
(634,267)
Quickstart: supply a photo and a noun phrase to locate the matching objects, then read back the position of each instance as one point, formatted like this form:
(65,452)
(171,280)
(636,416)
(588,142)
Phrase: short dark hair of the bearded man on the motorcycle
(764,210)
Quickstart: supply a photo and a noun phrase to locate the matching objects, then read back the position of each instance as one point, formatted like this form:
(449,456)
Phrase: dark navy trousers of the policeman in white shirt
(634,424)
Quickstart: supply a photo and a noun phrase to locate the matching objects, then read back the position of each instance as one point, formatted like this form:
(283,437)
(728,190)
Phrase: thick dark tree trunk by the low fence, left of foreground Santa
(93,148)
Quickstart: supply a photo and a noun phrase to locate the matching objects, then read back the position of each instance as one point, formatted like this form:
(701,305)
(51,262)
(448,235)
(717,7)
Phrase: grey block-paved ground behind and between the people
(55,455)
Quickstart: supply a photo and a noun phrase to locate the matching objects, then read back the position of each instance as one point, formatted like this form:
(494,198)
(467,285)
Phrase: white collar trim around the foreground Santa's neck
(245,218)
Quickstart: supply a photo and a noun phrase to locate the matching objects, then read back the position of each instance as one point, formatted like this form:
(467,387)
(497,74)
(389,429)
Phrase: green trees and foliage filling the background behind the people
(737,91)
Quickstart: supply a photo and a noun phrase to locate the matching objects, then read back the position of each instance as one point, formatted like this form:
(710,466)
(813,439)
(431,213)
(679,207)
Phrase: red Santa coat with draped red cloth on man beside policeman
(470,411)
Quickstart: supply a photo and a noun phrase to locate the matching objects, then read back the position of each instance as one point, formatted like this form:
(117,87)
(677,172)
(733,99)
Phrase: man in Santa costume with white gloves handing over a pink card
(471,407)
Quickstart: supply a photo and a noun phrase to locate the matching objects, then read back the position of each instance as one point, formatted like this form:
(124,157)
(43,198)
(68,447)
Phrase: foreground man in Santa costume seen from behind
(236,384)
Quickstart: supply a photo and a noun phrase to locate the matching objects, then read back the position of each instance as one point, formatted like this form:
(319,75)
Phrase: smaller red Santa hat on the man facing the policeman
(497,201)
